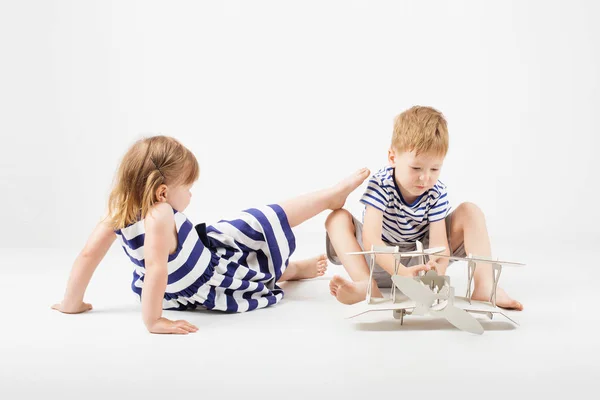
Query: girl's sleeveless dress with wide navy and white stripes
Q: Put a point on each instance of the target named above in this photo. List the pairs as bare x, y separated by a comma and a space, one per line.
231, 266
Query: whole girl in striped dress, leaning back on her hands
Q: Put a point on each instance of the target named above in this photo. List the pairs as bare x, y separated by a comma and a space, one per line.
232, 266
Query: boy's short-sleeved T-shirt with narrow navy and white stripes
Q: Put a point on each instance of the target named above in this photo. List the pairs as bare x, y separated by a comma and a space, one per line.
403, 222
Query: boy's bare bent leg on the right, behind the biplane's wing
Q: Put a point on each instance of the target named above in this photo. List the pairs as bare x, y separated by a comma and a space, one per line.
467, 225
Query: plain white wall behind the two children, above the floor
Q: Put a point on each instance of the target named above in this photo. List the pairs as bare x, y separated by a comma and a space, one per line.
278, 98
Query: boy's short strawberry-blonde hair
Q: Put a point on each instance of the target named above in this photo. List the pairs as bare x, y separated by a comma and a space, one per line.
422, 129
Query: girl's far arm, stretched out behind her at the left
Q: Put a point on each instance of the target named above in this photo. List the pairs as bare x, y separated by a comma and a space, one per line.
83, 268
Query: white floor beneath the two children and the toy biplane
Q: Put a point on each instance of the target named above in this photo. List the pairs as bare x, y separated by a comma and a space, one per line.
303, 346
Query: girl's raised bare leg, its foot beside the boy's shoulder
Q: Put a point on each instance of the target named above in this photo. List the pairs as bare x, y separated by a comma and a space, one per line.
306, 206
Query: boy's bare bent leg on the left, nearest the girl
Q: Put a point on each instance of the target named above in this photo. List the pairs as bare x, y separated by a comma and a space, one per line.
341, 231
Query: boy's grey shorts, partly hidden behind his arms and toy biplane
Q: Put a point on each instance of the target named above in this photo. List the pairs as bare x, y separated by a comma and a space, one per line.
381, 276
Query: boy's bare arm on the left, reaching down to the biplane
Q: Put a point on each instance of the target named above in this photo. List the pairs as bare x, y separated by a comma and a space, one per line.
372, 228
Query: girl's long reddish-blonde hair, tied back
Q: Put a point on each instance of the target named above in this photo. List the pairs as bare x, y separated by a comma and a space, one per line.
149, 163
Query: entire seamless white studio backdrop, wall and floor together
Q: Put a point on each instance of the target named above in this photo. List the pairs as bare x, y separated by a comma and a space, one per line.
275, 99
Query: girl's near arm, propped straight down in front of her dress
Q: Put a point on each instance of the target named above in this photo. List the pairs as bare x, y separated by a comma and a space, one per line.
159, 227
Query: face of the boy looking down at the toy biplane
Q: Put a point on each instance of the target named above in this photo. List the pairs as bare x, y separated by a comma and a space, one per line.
415, 174
